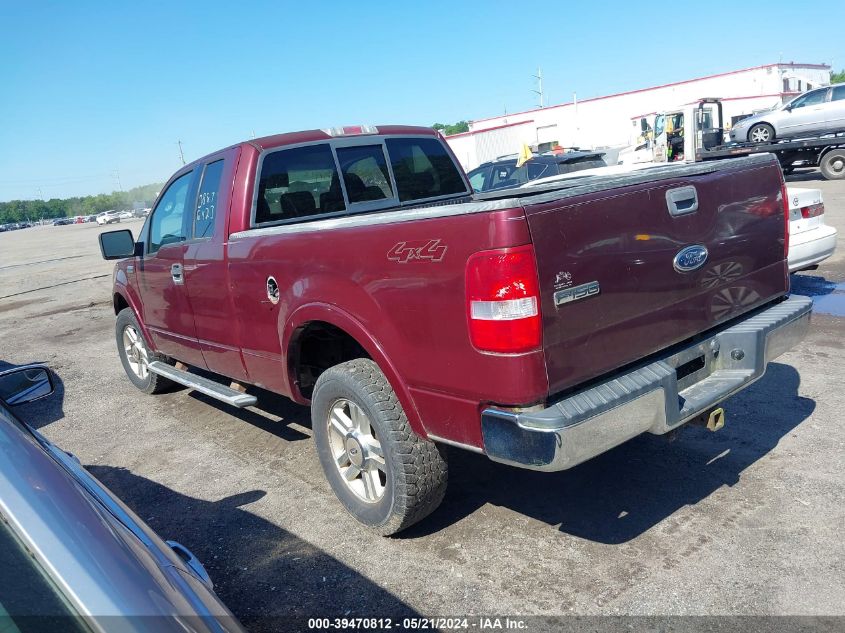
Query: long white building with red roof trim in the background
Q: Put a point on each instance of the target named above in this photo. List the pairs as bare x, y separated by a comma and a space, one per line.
612, 121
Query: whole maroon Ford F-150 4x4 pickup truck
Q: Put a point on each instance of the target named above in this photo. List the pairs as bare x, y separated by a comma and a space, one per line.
354, 270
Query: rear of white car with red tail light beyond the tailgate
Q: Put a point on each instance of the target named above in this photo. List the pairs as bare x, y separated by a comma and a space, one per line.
810, 240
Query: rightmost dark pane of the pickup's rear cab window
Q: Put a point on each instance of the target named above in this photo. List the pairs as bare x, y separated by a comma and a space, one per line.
423, 169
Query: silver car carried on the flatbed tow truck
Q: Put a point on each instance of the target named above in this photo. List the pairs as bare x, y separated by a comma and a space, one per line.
819, 111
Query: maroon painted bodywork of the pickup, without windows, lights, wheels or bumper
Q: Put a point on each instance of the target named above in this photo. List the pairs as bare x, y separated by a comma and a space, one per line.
410, 314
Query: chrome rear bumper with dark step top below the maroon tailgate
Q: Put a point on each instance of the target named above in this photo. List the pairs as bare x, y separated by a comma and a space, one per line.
653, 398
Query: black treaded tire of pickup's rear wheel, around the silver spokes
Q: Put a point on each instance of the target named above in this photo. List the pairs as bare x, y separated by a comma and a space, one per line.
415, 471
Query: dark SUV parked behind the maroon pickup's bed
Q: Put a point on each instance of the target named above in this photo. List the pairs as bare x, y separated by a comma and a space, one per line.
503, 172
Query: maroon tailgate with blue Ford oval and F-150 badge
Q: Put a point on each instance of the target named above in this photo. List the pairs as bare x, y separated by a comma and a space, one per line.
613, 286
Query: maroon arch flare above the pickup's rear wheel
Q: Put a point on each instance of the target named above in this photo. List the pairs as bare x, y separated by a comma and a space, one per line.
308, 316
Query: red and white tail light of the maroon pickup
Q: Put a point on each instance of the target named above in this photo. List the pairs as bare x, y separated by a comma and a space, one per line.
503, 300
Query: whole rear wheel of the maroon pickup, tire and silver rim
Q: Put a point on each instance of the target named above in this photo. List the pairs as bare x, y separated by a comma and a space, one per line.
385, 475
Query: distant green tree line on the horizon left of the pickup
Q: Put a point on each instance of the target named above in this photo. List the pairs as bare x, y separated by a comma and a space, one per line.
34, 210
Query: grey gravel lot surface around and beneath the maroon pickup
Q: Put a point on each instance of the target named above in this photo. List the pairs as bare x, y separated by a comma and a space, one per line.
747, 520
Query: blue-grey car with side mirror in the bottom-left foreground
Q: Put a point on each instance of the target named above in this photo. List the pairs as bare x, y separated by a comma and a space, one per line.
76, 550
